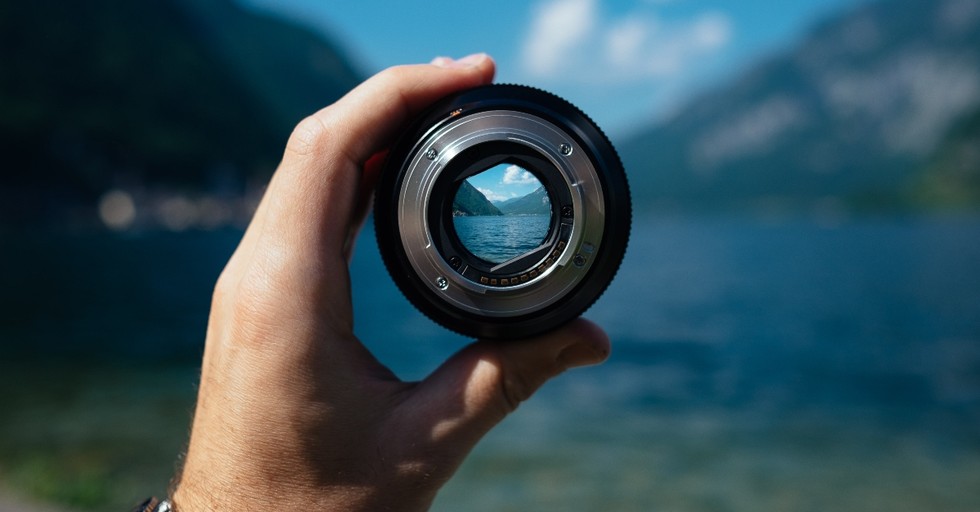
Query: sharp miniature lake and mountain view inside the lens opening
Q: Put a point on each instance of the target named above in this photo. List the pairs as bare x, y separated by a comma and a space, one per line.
501, 213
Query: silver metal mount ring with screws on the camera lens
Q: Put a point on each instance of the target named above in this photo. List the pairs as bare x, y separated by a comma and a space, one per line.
561, 269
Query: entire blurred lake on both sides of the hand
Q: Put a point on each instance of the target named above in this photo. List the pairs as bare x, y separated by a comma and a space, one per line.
756, 365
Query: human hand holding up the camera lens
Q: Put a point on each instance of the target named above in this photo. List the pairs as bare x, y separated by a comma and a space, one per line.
293, 412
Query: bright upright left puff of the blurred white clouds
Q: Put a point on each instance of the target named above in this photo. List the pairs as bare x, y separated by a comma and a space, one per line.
558, 28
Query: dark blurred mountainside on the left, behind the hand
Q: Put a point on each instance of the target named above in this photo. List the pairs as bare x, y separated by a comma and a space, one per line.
183, 95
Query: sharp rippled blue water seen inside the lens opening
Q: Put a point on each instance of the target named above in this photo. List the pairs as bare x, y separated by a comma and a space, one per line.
497, 238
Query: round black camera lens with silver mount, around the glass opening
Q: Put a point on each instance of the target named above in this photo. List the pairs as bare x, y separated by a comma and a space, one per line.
431, 277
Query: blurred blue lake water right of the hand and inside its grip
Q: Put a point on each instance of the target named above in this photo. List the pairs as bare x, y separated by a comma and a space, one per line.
755, 366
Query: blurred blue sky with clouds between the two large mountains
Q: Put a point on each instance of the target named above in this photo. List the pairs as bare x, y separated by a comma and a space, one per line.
626, 63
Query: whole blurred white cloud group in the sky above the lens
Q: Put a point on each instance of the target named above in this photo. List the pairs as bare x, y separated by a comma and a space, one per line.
571, 41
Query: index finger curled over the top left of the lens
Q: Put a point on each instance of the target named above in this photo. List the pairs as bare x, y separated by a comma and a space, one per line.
312, 196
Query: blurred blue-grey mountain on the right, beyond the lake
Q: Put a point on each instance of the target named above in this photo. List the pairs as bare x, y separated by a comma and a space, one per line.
857, 116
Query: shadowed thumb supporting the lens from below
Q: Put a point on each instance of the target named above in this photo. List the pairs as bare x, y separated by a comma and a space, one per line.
476, 389
